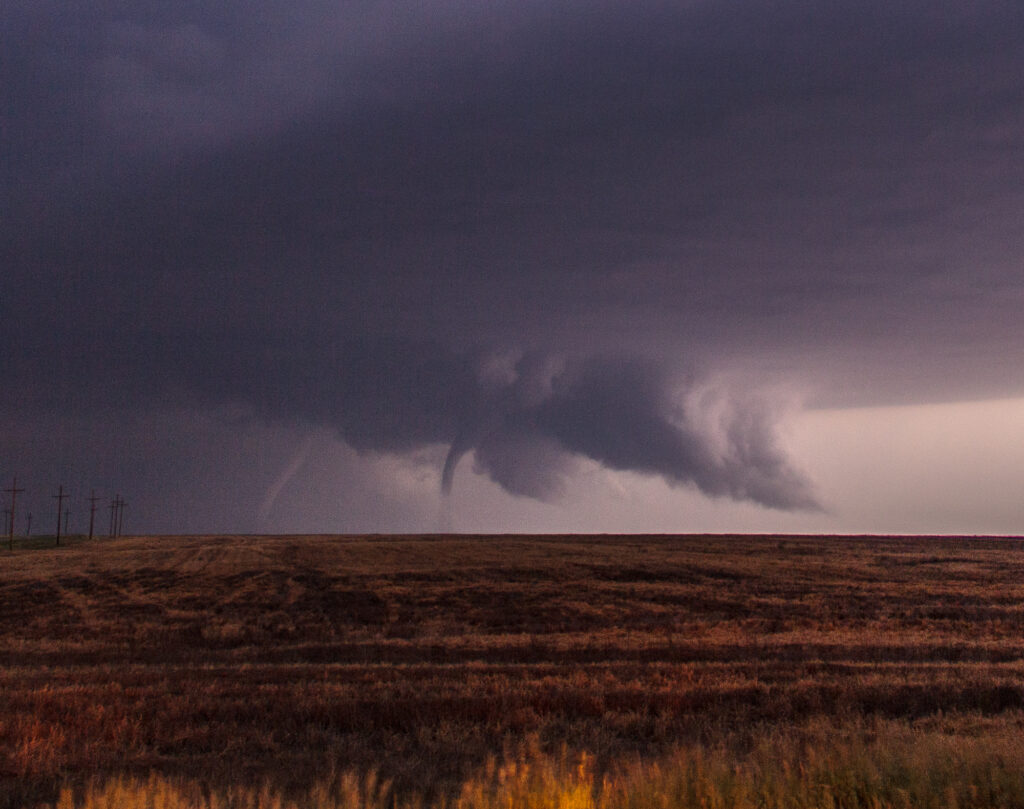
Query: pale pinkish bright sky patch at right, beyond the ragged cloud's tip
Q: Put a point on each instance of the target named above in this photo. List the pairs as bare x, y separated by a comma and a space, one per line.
942, 469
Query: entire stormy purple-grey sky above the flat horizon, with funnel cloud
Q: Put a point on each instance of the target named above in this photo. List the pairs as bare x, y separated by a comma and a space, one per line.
367, 266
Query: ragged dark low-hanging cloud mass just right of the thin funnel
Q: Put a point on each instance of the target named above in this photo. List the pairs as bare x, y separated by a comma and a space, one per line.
630, 416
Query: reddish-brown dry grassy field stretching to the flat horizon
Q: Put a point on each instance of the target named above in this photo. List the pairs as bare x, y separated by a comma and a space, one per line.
291, 664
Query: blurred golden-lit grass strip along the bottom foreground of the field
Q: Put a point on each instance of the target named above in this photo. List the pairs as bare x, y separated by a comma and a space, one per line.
824, 767
